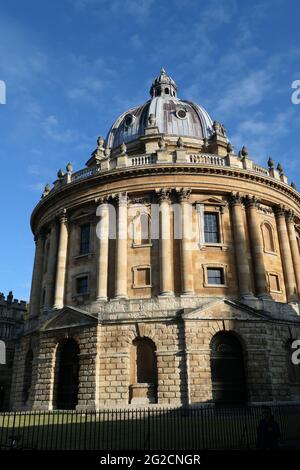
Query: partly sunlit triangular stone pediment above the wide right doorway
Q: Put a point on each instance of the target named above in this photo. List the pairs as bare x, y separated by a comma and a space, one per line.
224, 309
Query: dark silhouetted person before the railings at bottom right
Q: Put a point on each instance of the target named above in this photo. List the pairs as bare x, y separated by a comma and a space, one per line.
268, 432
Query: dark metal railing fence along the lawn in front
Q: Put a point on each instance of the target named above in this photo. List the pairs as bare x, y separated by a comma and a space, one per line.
157, 428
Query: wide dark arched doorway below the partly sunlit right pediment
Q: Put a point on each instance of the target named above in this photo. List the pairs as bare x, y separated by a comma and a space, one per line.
227, 369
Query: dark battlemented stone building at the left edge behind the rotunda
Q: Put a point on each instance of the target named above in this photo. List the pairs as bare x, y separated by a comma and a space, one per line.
12, 313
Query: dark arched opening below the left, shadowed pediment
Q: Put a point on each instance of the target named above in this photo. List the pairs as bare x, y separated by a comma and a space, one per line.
67, 375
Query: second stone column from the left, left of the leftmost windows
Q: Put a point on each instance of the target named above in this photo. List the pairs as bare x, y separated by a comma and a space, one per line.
61, 262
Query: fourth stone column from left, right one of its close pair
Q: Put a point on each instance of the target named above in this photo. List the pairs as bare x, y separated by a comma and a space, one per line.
121, 248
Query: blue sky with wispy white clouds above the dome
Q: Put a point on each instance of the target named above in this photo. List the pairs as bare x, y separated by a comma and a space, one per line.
72, 66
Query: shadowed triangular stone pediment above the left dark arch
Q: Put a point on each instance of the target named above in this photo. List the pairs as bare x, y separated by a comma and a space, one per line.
69, 317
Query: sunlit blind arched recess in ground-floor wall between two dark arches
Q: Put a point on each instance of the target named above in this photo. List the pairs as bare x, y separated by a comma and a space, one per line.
143, 371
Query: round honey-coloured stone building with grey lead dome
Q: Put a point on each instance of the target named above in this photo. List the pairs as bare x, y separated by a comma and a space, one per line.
167, 271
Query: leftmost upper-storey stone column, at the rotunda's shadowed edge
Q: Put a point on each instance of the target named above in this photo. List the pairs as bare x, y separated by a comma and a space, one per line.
37, 276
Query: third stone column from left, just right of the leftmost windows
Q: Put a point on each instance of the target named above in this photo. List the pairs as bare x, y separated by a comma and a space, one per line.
102, 234
